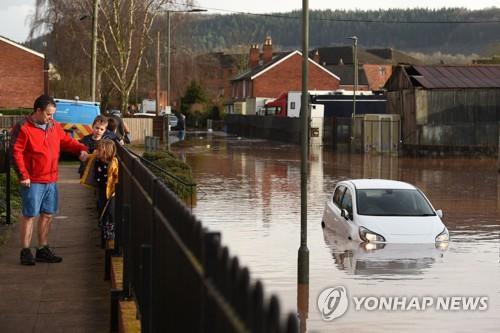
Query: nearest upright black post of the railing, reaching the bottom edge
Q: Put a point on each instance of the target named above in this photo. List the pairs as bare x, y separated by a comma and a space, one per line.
147, 289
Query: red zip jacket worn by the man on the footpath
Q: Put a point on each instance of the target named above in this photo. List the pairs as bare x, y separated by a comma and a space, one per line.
36, 152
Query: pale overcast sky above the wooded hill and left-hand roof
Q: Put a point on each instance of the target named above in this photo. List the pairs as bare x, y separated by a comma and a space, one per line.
14, 13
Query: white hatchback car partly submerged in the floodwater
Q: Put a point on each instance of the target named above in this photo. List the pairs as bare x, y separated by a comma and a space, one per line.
383, 211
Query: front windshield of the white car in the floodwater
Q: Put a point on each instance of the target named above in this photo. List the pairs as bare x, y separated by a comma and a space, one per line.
390, 202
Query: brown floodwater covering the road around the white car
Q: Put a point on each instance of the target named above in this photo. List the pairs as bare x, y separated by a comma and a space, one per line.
250, 191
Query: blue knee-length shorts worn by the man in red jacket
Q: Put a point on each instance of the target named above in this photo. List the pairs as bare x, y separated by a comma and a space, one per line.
39, 198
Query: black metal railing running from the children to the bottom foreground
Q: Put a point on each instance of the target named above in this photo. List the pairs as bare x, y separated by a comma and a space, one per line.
181, 276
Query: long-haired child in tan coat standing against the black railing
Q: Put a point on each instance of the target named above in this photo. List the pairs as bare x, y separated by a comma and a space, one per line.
101, 173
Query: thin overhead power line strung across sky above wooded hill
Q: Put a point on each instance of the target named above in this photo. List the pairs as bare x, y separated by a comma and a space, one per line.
290, 17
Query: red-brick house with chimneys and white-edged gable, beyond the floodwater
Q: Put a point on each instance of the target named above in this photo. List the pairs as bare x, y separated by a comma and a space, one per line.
272, 76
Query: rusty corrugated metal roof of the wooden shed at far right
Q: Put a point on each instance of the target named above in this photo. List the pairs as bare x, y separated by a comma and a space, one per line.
442, 77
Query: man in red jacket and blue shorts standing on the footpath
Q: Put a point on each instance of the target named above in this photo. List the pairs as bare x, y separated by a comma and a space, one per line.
36, 143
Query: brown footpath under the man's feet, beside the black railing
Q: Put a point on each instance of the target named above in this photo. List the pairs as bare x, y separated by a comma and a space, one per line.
67, 297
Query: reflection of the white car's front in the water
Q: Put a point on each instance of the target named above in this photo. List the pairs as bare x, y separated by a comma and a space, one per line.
382, 261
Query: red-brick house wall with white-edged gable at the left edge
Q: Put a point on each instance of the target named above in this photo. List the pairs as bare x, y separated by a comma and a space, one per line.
22, 73
